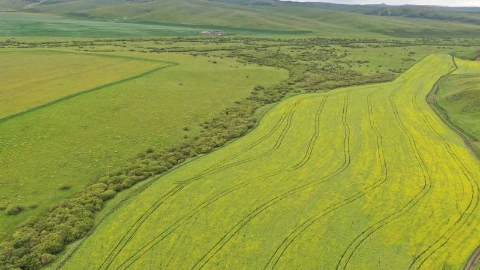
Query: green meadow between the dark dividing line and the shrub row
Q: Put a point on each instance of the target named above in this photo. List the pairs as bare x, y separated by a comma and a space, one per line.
112, 124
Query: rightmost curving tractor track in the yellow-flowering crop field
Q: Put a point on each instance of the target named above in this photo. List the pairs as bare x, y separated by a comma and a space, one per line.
471, 208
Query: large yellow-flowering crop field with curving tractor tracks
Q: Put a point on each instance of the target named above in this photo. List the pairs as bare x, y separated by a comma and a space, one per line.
359, 178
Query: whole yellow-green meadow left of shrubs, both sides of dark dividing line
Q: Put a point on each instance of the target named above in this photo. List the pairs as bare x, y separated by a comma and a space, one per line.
55, 150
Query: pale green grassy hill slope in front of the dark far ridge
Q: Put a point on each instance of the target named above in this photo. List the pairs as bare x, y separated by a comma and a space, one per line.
278, 17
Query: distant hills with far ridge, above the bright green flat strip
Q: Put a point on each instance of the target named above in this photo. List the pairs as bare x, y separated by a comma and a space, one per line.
318, 18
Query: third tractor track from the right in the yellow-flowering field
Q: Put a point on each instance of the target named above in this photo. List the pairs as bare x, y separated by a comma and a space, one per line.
281, 249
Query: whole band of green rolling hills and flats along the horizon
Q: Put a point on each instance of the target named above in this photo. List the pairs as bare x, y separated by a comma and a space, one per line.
103, 18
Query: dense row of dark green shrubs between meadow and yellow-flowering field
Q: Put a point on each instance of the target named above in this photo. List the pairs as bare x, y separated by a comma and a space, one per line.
37, 242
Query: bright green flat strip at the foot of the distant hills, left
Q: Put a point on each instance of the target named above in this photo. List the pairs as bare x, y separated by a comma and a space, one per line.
20, 24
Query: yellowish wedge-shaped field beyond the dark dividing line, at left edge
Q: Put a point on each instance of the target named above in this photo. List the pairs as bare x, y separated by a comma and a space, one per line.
35, 78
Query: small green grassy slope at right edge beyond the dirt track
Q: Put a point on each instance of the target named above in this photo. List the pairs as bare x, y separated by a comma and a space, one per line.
459, 94
